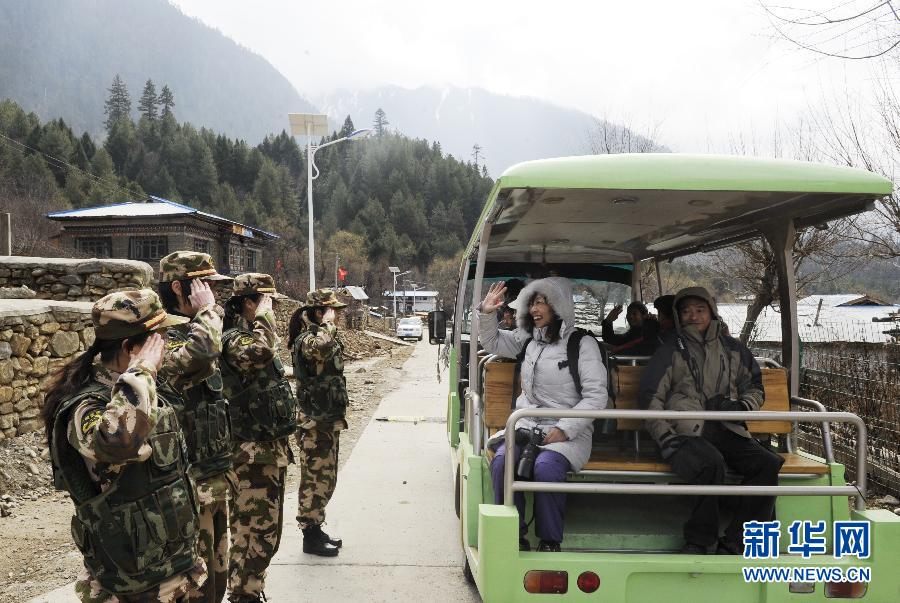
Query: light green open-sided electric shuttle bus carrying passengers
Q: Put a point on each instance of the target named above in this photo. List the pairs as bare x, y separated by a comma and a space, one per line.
598, 220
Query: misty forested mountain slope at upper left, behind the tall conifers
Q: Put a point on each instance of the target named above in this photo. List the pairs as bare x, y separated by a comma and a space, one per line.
58, 58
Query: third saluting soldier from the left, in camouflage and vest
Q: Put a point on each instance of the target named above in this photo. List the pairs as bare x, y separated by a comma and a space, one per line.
263, 416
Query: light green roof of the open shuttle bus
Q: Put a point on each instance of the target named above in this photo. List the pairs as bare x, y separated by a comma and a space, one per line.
624, 208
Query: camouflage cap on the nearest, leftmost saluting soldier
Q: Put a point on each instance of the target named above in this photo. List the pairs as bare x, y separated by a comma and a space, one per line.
128, 313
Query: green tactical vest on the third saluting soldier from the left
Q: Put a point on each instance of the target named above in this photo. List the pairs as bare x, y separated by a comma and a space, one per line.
263, 407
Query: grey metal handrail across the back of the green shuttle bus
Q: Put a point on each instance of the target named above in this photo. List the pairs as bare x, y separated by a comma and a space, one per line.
859, 491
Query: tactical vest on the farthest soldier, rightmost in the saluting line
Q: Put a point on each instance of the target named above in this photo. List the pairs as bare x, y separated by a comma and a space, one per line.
322, 397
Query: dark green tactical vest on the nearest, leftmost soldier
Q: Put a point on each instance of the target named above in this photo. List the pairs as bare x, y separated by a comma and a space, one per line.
143, 528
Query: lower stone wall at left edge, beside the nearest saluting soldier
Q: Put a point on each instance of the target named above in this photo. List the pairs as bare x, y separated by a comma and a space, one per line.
36, 337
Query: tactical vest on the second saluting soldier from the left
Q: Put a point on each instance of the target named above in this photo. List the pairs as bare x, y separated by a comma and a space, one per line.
203, 415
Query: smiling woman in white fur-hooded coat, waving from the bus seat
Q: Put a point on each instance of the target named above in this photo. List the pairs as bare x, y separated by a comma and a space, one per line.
546, 315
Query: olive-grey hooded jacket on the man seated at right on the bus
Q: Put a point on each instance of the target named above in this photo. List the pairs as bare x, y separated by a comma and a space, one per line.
709, 364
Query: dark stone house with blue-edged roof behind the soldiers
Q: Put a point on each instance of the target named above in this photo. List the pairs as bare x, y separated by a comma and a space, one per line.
148, 231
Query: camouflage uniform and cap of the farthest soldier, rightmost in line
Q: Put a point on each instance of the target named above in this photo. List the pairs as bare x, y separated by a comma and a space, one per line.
318, 369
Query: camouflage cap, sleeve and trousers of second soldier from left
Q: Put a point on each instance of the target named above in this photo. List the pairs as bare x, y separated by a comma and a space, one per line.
192, 354
